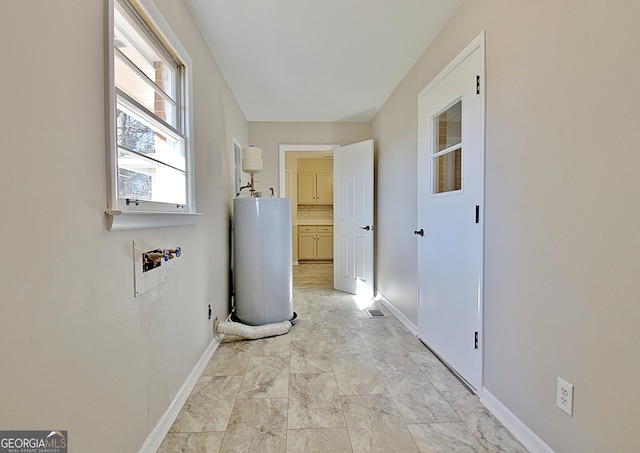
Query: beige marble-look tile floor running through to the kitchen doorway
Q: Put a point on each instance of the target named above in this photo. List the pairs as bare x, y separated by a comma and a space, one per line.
339, 381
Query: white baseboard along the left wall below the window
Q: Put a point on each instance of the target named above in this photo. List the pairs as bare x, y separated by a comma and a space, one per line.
159, 432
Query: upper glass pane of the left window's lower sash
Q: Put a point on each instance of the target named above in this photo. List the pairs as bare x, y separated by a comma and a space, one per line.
136, 134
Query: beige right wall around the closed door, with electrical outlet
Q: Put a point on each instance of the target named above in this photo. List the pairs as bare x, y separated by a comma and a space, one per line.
562, 275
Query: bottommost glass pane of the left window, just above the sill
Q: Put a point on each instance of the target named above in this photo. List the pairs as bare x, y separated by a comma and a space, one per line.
143, 179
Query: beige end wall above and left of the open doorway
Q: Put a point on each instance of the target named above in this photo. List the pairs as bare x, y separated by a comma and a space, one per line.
269, 136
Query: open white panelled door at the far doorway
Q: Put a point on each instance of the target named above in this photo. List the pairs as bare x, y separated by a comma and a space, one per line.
353, 218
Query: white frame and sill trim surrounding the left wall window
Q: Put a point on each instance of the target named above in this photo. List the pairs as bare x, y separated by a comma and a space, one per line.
148, 214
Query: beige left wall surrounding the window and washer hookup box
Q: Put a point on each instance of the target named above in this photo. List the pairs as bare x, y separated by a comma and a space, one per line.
77, 351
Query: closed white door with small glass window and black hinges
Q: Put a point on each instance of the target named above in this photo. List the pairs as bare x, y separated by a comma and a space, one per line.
450, 202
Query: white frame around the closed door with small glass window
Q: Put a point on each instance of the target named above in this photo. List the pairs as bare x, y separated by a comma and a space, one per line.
478, 44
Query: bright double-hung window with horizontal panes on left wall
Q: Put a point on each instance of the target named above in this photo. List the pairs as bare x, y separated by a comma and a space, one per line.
149, 133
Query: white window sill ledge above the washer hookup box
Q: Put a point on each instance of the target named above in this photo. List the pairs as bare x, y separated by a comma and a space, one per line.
133, 220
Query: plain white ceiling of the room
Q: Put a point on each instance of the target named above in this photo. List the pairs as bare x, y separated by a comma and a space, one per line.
317, 60
